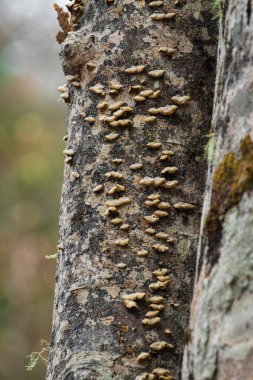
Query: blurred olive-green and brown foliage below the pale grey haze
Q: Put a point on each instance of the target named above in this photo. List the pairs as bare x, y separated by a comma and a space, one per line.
31, 129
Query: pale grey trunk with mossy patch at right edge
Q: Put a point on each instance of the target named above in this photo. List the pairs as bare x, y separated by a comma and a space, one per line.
221, 344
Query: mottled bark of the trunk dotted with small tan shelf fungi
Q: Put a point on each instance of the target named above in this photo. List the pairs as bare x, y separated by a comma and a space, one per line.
94, 335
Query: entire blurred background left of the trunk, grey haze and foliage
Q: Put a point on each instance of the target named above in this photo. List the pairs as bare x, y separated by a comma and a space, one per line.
32, 124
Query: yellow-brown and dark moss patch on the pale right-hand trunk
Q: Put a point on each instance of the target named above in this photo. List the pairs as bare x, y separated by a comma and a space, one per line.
232, 178
